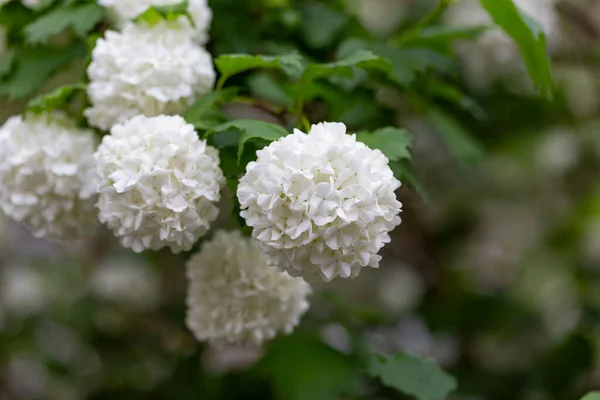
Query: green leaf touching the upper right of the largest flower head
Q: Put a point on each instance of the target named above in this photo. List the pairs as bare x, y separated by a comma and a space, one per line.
393, 142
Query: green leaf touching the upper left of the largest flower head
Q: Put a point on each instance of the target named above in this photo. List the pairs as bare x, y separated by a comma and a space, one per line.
251, 130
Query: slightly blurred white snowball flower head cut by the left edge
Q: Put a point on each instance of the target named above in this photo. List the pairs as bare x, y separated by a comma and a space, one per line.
47, 175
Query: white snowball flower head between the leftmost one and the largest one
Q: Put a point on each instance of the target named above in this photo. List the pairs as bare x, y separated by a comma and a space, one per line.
158, 183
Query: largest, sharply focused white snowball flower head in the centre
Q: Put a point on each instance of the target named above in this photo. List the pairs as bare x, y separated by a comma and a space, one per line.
320, 202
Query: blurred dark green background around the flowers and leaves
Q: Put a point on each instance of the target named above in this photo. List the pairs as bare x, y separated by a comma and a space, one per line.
494, 272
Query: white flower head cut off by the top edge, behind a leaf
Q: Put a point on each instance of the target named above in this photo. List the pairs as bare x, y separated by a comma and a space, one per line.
124, 11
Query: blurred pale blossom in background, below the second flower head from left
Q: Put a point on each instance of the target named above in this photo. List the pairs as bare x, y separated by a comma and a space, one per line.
126, 281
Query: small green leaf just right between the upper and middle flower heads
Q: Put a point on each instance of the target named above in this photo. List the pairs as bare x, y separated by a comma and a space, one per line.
205, 113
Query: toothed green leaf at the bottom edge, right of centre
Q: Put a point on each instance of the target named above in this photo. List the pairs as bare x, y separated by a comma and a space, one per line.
421, 379
